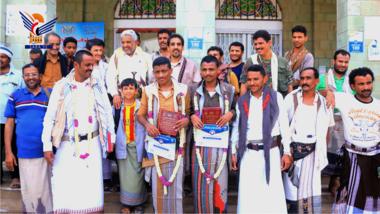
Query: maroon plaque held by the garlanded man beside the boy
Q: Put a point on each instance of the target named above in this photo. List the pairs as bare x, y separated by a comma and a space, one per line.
166, 122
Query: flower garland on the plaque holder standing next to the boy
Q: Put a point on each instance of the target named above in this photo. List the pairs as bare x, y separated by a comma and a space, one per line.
182, 142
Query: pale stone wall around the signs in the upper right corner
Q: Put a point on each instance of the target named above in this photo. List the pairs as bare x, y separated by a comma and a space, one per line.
351, 16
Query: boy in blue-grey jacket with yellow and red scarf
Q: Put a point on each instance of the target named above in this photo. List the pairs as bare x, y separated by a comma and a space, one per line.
129, 149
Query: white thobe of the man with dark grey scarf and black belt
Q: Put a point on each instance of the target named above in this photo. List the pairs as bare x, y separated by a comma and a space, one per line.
255, 195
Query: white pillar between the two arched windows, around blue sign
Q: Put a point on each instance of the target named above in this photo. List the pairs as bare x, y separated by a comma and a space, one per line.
196, 14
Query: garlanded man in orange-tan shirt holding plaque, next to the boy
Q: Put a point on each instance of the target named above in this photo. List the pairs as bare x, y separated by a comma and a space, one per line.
165, 175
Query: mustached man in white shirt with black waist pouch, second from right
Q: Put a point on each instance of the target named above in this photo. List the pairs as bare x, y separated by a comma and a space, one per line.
310, 119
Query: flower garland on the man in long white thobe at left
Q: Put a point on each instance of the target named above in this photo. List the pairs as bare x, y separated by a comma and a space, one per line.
76, 123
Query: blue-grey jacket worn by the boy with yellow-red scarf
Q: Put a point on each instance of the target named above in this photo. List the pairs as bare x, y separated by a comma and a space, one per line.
121, 138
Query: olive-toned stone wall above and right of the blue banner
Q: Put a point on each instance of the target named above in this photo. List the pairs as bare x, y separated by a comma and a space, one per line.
90, 11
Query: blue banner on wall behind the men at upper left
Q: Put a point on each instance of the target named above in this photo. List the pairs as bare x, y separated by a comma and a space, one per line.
82, 32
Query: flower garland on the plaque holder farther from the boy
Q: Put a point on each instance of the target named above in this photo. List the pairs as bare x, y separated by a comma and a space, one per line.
224, 157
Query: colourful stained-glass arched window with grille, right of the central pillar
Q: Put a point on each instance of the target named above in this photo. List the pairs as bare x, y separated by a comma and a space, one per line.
248, 10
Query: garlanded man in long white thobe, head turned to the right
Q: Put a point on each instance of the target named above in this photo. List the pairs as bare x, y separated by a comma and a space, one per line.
79, 124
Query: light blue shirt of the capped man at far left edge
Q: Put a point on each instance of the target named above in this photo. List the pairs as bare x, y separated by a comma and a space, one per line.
9, 83
